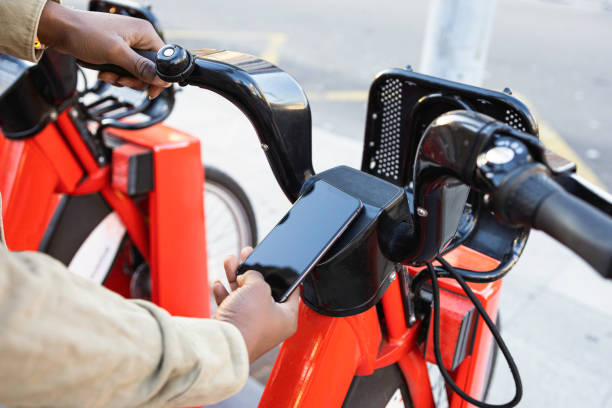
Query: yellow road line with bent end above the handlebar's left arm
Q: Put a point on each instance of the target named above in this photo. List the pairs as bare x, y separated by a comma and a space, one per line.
271, 52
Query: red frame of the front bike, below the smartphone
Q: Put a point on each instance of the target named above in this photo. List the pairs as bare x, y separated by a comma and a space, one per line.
315, 367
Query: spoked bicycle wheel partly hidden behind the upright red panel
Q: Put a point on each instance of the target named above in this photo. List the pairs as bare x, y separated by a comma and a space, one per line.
230, 220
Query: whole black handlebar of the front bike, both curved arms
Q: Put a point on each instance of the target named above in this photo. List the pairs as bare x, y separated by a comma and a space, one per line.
278, 109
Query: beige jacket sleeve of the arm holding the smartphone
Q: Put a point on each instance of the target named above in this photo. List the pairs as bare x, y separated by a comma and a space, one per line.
65, 341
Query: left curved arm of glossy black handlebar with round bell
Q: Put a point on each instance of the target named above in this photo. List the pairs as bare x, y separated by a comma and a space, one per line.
272, 100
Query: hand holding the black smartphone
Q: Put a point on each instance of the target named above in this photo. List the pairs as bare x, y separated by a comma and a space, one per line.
251, 308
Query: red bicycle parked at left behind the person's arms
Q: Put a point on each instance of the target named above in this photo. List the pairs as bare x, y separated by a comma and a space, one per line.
90, 177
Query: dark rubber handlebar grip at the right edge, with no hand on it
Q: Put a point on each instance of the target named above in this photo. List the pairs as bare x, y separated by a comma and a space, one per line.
579, 226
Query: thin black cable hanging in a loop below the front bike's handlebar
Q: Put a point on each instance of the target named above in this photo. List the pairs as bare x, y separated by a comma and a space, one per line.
496, 335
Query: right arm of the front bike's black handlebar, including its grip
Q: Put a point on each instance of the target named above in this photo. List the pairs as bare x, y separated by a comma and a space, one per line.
510, 167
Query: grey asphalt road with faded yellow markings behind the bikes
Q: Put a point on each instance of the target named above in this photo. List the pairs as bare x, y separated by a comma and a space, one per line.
555, 53
